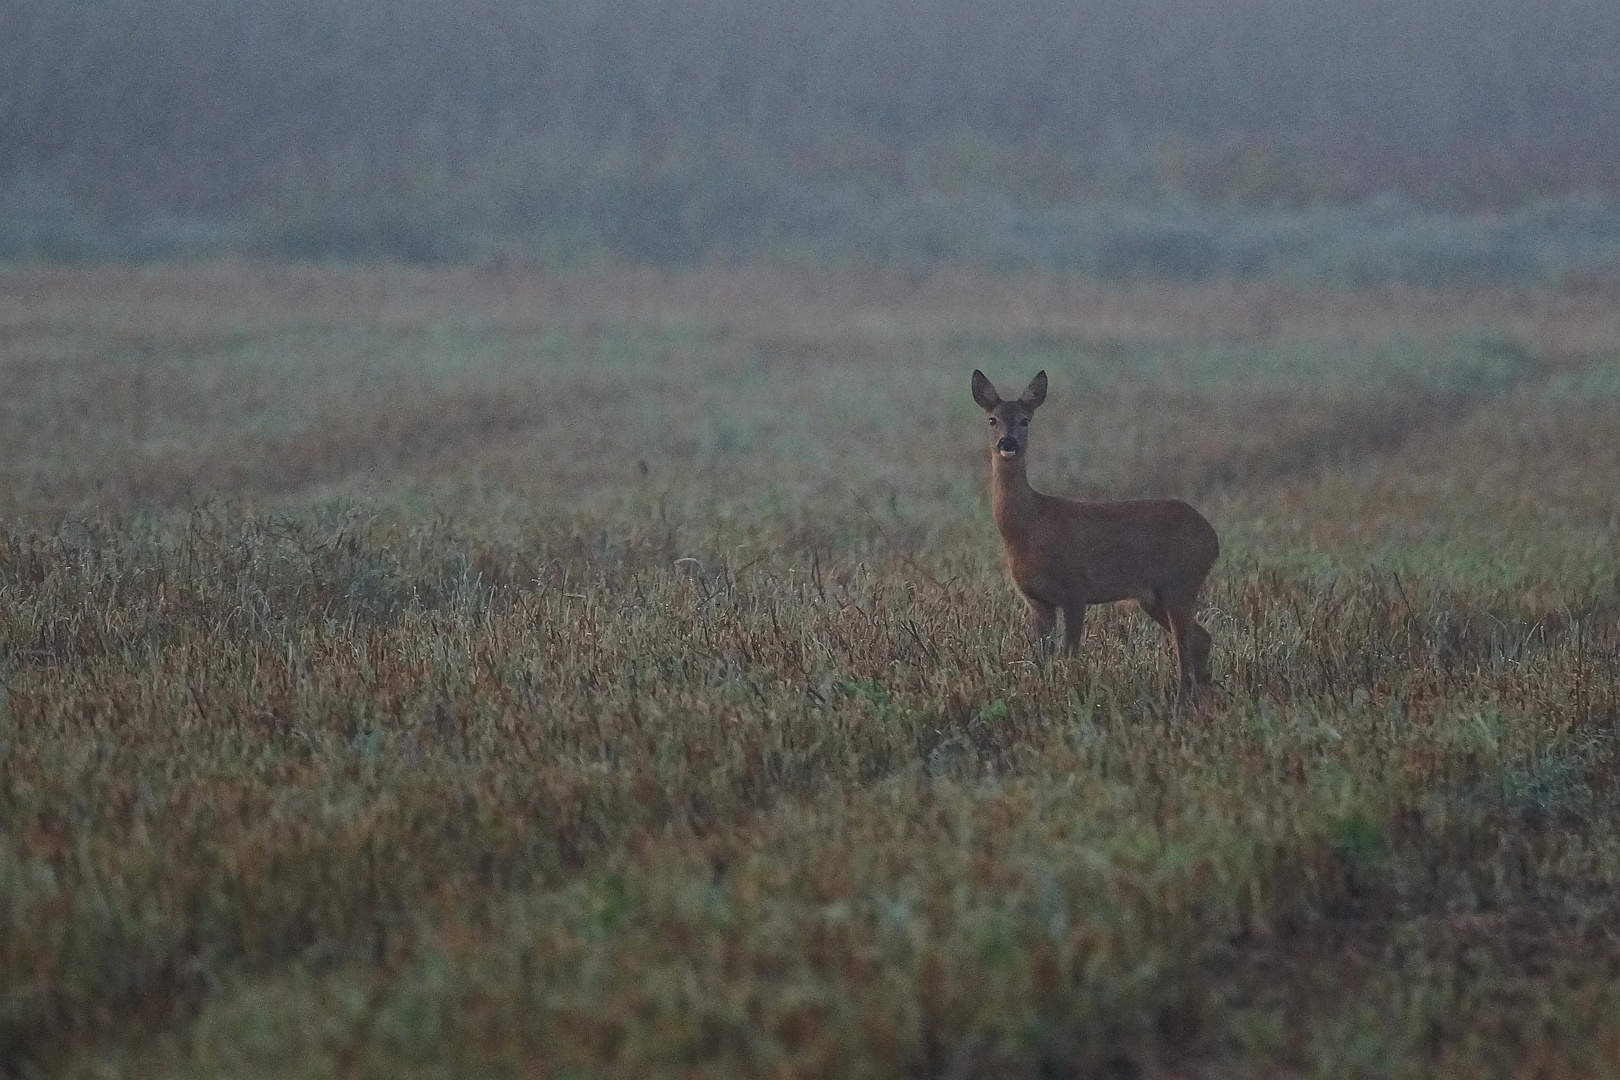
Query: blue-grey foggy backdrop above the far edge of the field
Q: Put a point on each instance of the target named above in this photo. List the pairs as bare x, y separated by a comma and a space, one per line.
671, 130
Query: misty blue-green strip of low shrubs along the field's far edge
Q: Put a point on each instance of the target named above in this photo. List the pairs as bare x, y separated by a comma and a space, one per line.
706, 213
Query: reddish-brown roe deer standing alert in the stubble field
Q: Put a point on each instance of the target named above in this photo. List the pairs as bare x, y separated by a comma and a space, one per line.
1068, 555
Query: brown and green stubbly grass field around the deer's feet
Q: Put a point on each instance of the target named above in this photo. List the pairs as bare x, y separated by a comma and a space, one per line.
463, 676
